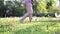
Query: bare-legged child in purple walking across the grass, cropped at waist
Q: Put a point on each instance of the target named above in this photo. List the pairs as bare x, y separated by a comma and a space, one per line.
29, 9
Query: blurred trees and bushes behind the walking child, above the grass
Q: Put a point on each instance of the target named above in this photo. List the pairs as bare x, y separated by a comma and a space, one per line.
15, 8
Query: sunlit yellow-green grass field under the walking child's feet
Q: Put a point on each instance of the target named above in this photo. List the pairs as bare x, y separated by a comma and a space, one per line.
37, 26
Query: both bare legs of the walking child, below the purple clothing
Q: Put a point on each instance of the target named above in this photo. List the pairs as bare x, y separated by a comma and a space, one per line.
29, 12
